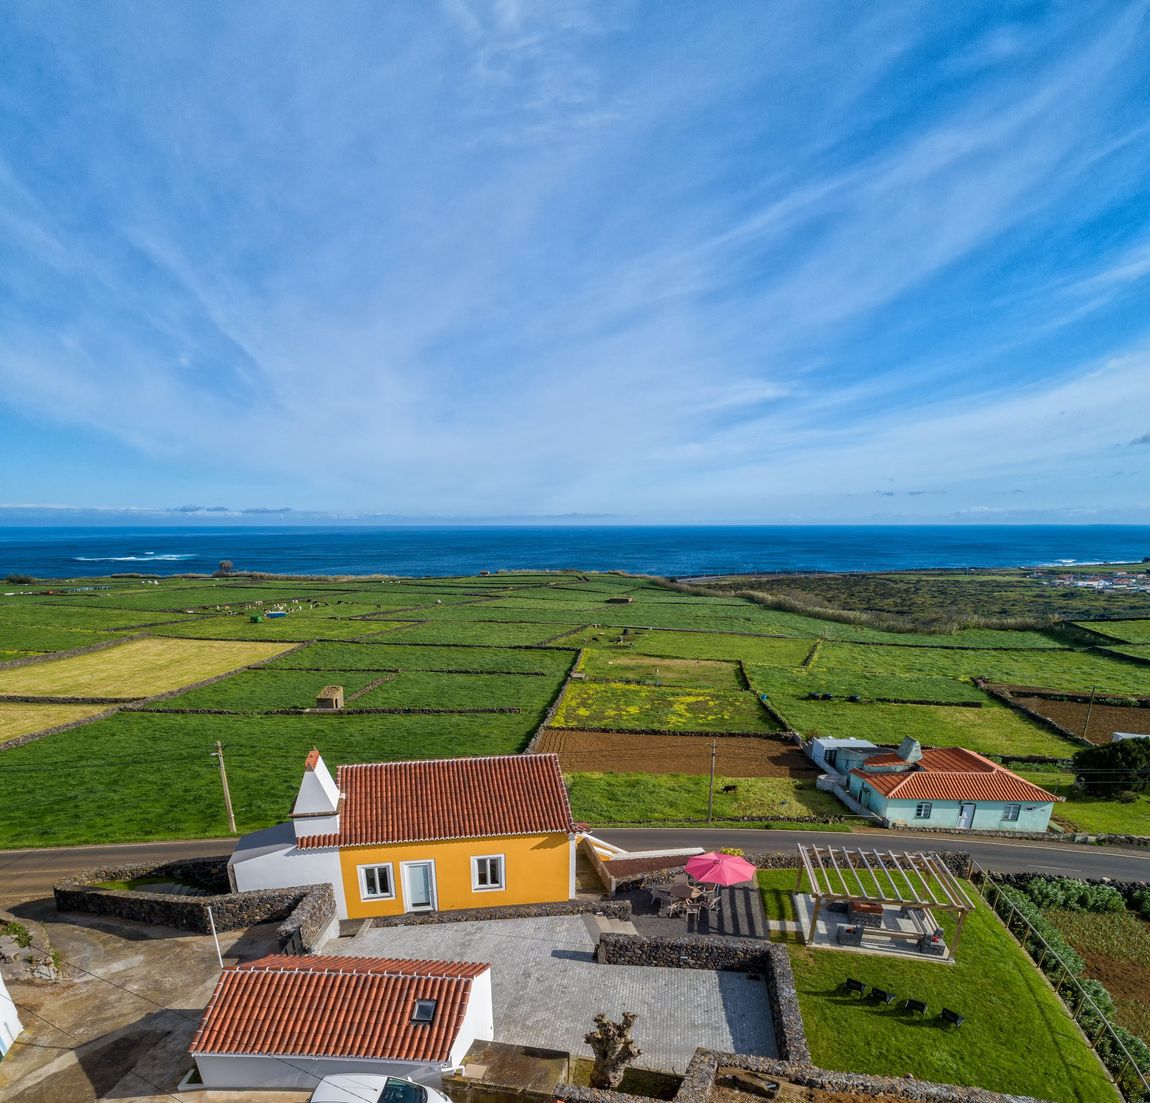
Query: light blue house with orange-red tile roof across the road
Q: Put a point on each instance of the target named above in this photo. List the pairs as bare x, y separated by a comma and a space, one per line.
949, 788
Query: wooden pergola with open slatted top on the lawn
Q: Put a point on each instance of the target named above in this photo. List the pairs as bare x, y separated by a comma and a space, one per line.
901, 880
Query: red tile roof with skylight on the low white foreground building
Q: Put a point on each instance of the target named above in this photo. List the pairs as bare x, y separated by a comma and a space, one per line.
336, 1007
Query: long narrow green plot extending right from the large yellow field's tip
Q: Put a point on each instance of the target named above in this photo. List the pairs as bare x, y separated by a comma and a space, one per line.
378, 656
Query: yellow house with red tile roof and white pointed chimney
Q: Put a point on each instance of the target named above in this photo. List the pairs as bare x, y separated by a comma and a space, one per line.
432, 836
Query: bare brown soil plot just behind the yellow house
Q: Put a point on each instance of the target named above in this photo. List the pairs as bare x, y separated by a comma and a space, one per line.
738, 756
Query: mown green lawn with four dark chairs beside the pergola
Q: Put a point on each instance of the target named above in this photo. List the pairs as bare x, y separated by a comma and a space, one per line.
1017, 1038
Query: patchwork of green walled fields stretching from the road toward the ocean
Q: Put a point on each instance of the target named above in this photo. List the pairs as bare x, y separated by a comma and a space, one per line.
664, 661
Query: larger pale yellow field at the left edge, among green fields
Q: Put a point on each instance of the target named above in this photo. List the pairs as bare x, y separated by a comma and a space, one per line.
137, 669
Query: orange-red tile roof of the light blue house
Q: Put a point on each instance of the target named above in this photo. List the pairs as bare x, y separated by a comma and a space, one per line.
953, 773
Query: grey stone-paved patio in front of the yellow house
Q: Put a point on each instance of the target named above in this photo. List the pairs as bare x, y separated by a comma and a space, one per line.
548, 989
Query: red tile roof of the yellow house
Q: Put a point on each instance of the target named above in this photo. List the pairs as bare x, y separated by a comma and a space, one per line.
449, 799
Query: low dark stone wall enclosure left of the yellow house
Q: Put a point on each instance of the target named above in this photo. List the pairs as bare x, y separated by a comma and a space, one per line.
308, 913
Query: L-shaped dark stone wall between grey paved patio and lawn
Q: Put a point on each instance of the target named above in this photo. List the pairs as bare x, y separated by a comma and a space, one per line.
730, 955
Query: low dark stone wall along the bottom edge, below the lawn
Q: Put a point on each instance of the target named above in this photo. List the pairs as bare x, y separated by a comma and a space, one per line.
709, 1069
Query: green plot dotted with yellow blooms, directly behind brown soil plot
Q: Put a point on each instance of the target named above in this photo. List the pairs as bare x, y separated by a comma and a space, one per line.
618, 706
